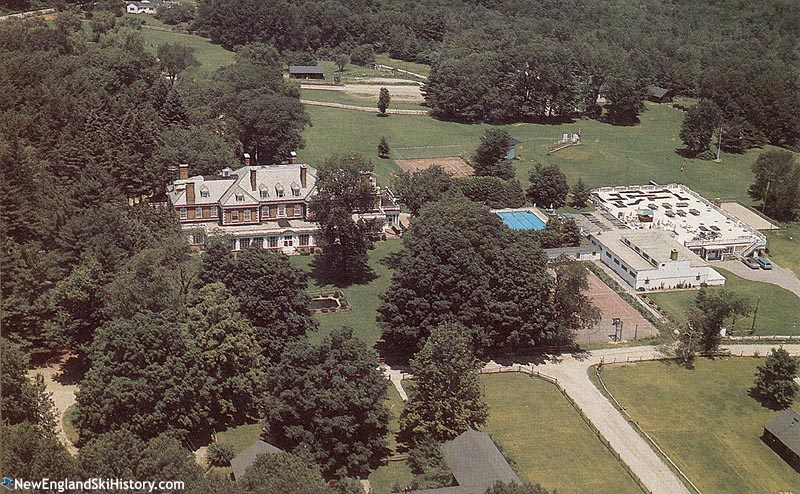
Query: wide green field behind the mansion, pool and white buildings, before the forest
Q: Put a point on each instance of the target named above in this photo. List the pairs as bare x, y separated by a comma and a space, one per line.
609, 155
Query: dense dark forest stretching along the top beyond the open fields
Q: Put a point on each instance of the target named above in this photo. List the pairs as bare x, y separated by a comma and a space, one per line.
509, 60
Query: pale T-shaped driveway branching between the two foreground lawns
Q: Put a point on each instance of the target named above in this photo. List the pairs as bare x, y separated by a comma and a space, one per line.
572, 373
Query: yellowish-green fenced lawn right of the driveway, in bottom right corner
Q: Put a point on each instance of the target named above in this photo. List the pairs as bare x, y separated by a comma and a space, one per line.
706, 422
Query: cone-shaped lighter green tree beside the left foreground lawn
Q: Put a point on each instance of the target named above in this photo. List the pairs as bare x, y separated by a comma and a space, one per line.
447, 397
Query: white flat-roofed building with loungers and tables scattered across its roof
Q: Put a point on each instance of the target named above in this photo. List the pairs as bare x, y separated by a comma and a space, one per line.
702, 227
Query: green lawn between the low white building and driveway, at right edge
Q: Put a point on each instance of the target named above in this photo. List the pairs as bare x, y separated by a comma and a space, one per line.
778, 309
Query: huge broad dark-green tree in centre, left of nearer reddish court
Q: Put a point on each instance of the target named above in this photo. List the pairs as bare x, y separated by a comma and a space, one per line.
461, 262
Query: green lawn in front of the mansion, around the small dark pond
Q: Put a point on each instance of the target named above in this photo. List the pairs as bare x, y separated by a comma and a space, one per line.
364, 299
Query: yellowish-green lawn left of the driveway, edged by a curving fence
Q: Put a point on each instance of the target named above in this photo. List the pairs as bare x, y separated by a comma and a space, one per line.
547, 440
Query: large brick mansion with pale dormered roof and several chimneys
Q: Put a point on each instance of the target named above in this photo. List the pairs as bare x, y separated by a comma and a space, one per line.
261, 206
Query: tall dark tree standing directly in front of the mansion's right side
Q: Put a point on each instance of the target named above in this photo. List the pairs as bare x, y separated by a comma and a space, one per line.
343, 188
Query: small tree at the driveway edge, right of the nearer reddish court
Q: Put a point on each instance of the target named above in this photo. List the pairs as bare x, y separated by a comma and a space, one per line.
712, 309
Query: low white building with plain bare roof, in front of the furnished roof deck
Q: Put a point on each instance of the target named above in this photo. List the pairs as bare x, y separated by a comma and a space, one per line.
653, 259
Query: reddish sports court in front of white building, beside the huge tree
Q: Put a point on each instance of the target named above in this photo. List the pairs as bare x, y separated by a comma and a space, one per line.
612, 305
